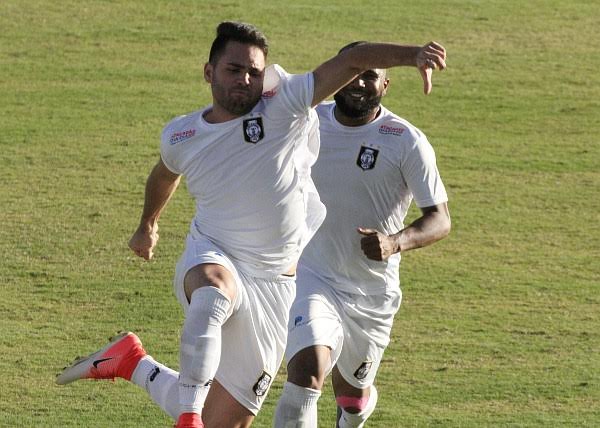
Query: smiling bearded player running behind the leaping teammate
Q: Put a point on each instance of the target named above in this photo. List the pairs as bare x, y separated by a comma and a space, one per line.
371, 165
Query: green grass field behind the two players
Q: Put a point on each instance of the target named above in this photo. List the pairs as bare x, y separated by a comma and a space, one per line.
499, 326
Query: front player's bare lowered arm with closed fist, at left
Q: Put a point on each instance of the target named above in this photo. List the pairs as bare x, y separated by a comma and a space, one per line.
160, 186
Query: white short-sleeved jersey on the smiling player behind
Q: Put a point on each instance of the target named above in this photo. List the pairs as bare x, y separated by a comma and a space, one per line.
367, 177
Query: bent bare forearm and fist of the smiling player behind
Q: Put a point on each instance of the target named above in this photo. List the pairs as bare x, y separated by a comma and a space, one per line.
433, 225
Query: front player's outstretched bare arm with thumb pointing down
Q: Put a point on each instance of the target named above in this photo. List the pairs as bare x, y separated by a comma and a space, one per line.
340, 70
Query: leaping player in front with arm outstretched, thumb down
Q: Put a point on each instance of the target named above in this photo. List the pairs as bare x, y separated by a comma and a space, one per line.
246, 159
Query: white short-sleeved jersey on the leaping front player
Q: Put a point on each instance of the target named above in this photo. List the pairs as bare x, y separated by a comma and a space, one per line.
250, 176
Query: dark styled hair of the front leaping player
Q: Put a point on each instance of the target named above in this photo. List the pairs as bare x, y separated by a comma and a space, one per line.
236, 32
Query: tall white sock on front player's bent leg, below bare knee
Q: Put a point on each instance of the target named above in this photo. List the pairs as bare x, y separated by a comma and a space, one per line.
200, 350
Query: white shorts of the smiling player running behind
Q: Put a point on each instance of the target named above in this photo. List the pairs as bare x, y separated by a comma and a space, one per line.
356, 327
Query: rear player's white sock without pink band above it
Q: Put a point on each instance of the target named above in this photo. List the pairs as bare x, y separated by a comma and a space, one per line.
297, 407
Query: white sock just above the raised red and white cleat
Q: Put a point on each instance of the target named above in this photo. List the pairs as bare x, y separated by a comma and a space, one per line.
160, 382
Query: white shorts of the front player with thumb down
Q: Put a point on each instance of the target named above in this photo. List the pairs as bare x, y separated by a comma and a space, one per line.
254, 335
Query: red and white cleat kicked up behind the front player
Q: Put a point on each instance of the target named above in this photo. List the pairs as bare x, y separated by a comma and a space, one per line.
117, 359
